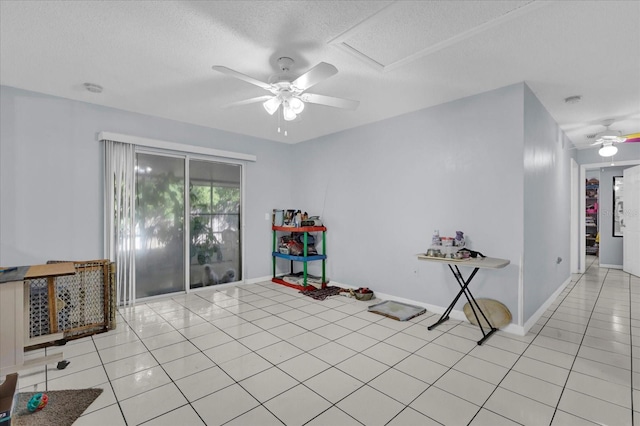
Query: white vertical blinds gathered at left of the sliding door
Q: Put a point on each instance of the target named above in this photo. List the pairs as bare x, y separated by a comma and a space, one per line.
119, 216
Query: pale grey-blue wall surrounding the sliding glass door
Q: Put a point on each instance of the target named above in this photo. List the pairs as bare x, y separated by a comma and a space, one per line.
51, 177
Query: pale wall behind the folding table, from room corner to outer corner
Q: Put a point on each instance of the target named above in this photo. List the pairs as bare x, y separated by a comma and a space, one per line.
383, 188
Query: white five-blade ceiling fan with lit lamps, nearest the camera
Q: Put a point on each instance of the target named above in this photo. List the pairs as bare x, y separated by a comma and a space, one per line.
288, 92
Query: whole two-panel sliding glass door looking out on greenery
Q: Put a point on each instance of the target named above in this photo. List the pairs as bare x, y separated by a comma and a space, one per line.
169, 254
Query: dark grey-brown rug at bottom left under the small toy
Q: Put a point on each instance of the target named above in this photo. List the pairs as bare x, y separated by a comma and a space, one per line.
64, 407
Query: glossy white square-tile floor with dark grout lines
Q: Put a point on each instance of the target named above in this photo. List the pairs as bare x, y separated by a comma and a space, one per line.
263, 354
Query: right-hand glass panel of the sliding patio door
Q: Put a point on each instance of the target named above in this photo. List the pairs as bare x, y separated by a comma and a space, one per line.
214, 246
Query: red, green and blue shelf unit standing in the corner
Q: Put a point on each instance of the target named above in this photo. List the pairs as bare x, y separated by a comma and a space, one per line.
297, 244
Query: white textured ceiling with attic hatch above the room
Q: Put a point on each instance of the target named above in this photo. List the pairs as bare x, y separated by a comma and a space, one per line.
155, 57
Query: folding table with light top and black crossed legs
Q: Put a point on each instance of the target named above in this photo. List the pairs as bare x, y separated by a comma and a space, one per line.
477, 264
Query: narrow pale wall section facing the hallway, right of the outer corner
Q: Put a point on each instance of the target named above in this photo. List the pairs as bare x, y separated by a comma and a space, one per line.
547, 198
